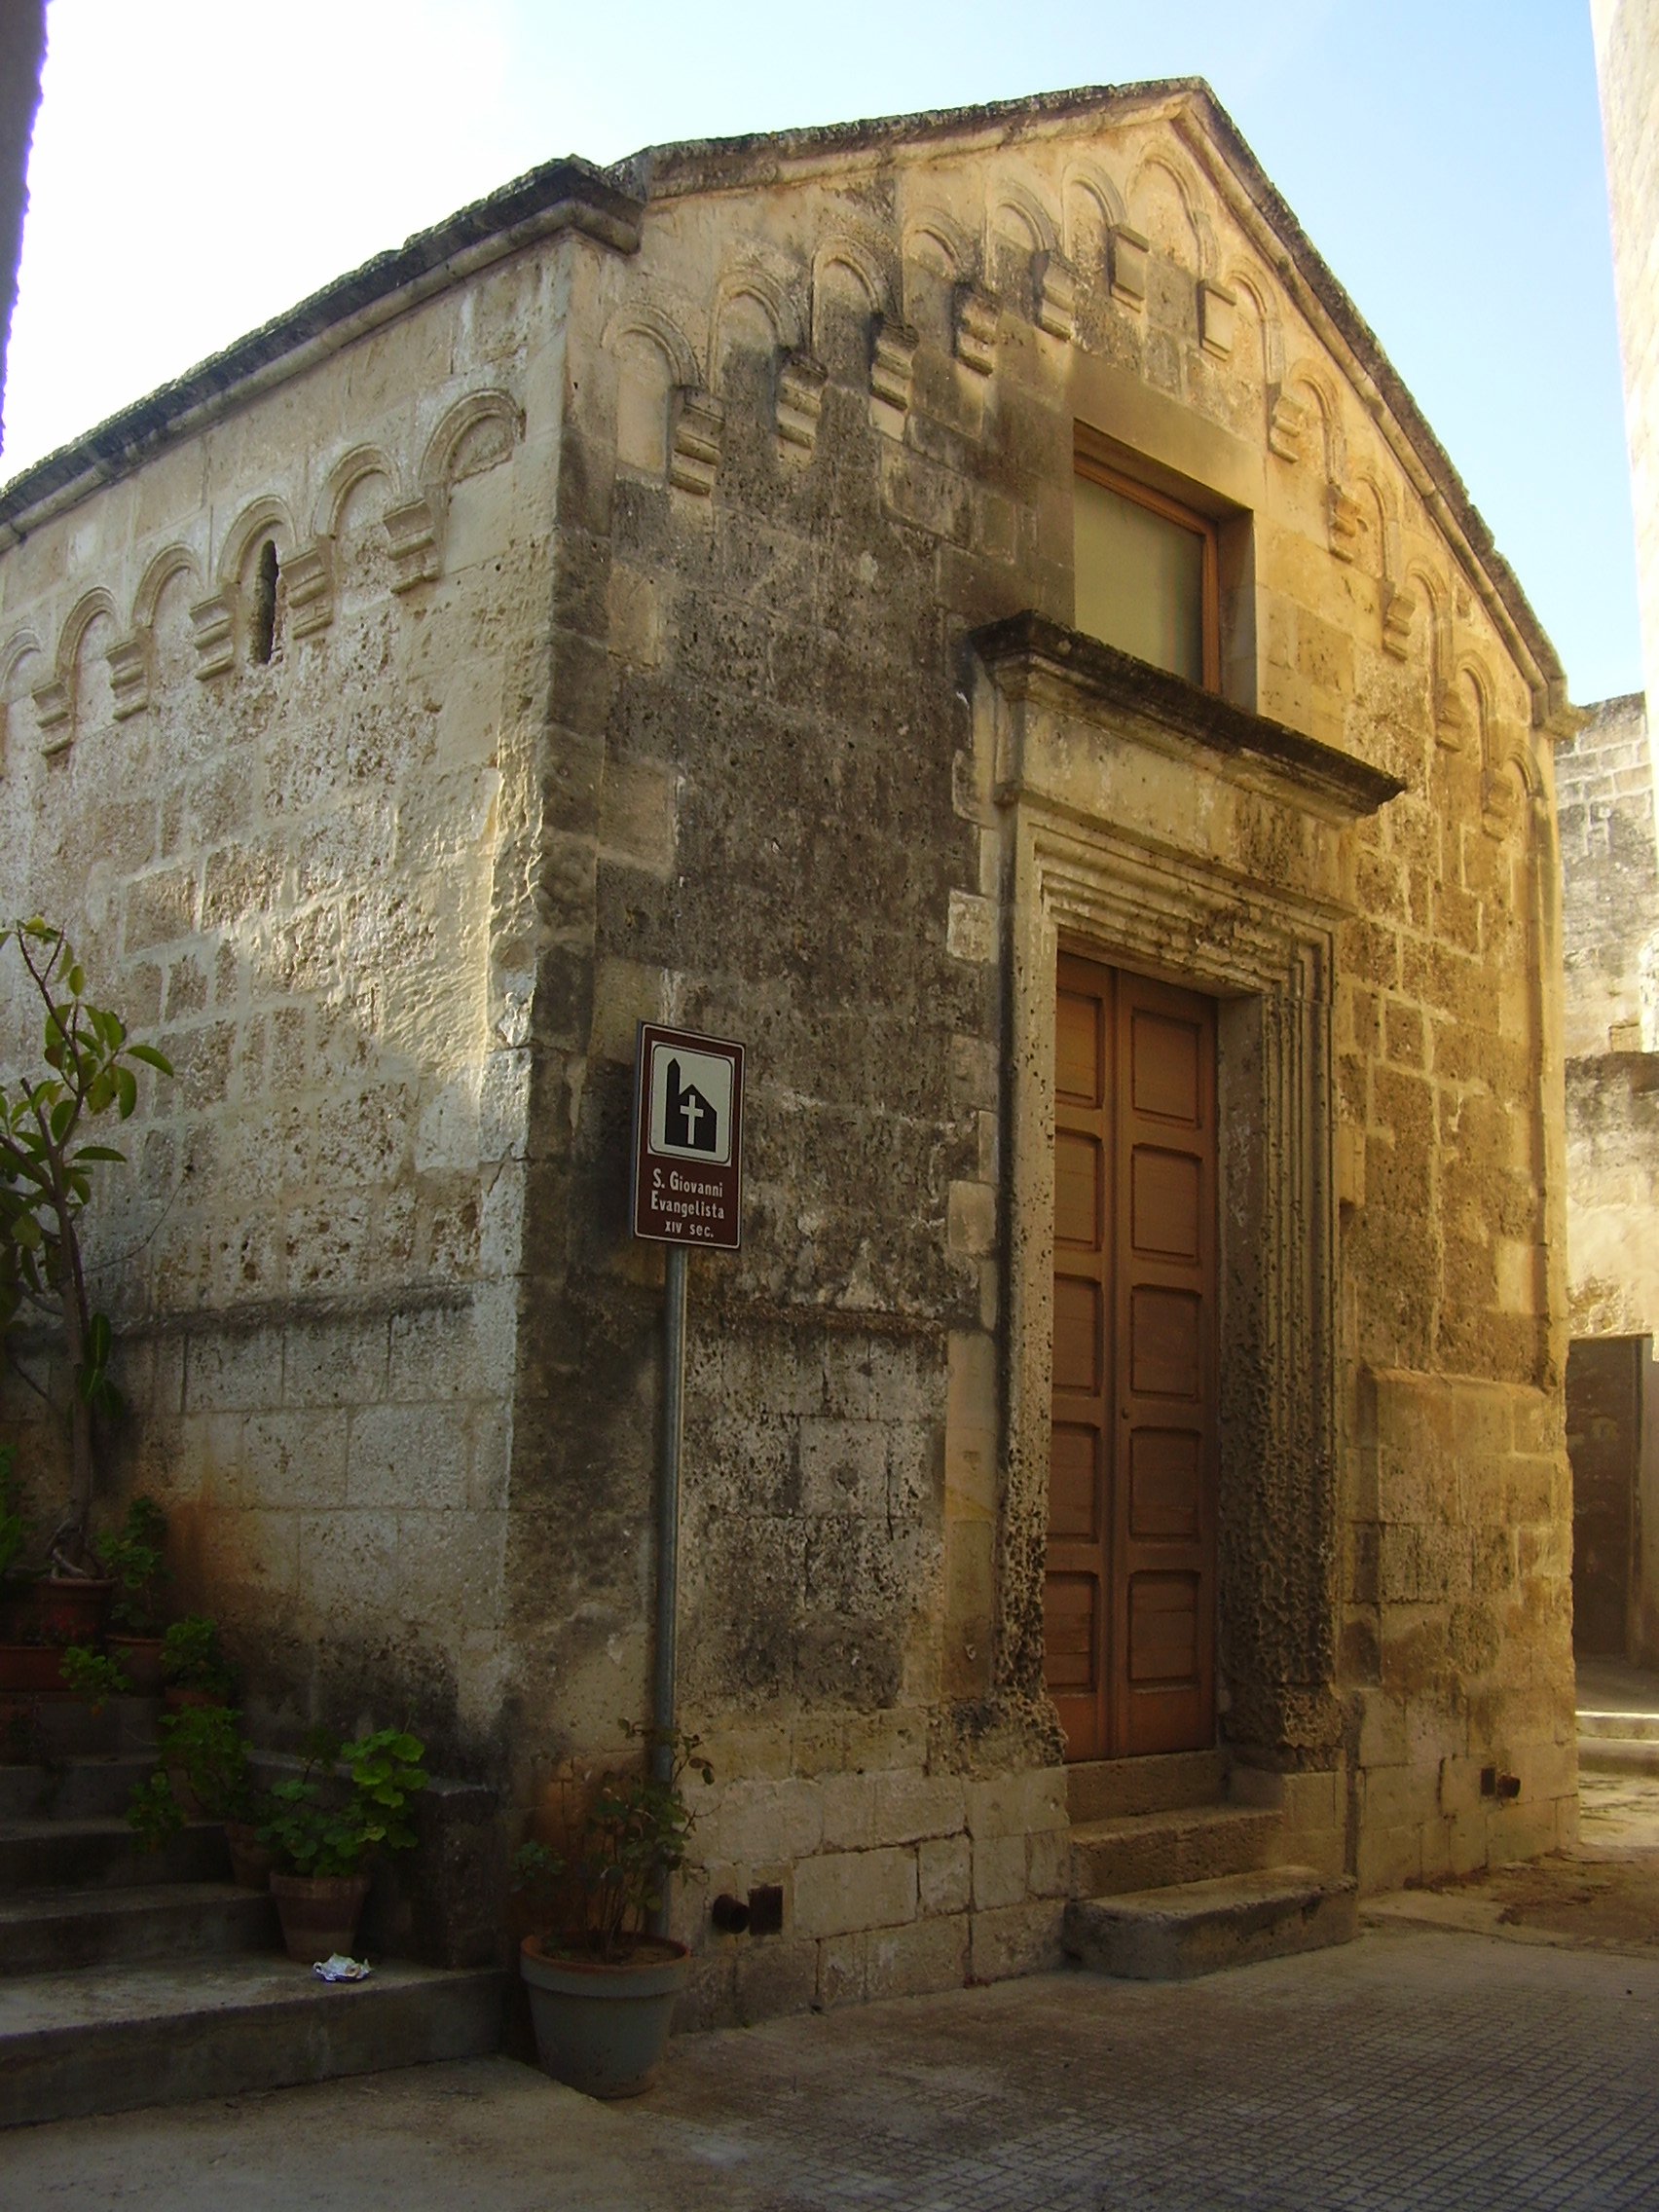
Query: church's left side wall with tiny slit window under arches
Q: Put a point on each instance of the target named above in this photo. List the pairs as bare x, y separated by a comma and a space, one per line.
298, 877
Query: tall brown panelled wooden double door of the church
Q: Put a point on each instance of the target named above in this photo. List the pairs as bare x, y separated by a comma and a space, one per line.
1129, 1600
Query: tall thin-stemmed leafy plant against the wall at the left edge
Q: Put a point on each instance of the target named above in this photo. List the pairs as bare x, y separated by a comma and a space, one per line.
48, 1185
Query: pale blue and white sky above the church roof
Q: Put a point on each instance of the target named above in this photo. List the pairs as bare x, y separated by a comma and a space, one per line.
202, 165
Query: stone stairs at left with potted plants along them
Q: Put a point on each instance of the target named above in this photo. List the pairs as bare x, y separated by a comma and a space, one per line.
136, 1979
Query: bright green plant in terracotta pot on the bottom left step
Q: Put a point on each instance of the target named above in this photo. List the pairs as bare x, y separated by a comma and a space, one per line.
322, 1835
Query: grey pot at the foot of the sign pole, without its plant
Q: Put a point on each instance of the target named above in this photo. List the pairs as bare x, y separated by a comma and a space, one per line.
605, 2027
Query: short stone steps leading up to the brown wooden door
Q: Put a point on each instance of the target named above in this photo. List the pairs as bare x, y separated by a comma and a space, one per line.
1173, 1877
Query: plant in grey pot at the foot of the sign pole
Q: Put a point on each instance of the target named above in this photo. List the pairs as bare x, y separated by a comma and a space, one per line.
603, 1990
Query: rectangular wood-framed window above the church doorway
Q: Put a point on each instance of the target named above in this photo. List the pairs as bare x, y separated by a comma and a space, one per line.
1147, 574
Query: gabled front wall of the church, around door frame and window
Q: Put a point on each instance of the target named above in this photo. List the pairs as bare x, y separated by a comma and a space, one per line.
824, 432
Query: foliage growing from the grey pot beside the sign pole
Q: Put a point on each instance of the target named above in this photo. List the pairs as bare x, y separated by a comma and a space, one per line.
623, 1835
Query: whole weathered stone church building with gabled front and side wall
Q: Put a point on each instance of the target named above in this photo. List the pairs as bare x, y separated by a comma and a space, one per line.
656, 596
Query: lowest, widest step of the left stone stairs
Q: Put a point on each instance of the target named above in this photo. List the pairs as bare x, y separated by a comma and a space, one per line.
105, 2041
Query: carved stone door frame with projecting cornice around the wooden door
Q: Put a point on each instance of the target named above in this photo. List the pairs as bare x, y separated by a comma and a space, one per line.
1129, 815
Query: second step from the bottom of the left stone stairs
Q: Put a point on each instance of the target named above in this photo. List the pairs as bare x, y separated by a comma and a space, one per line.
54, 1930
